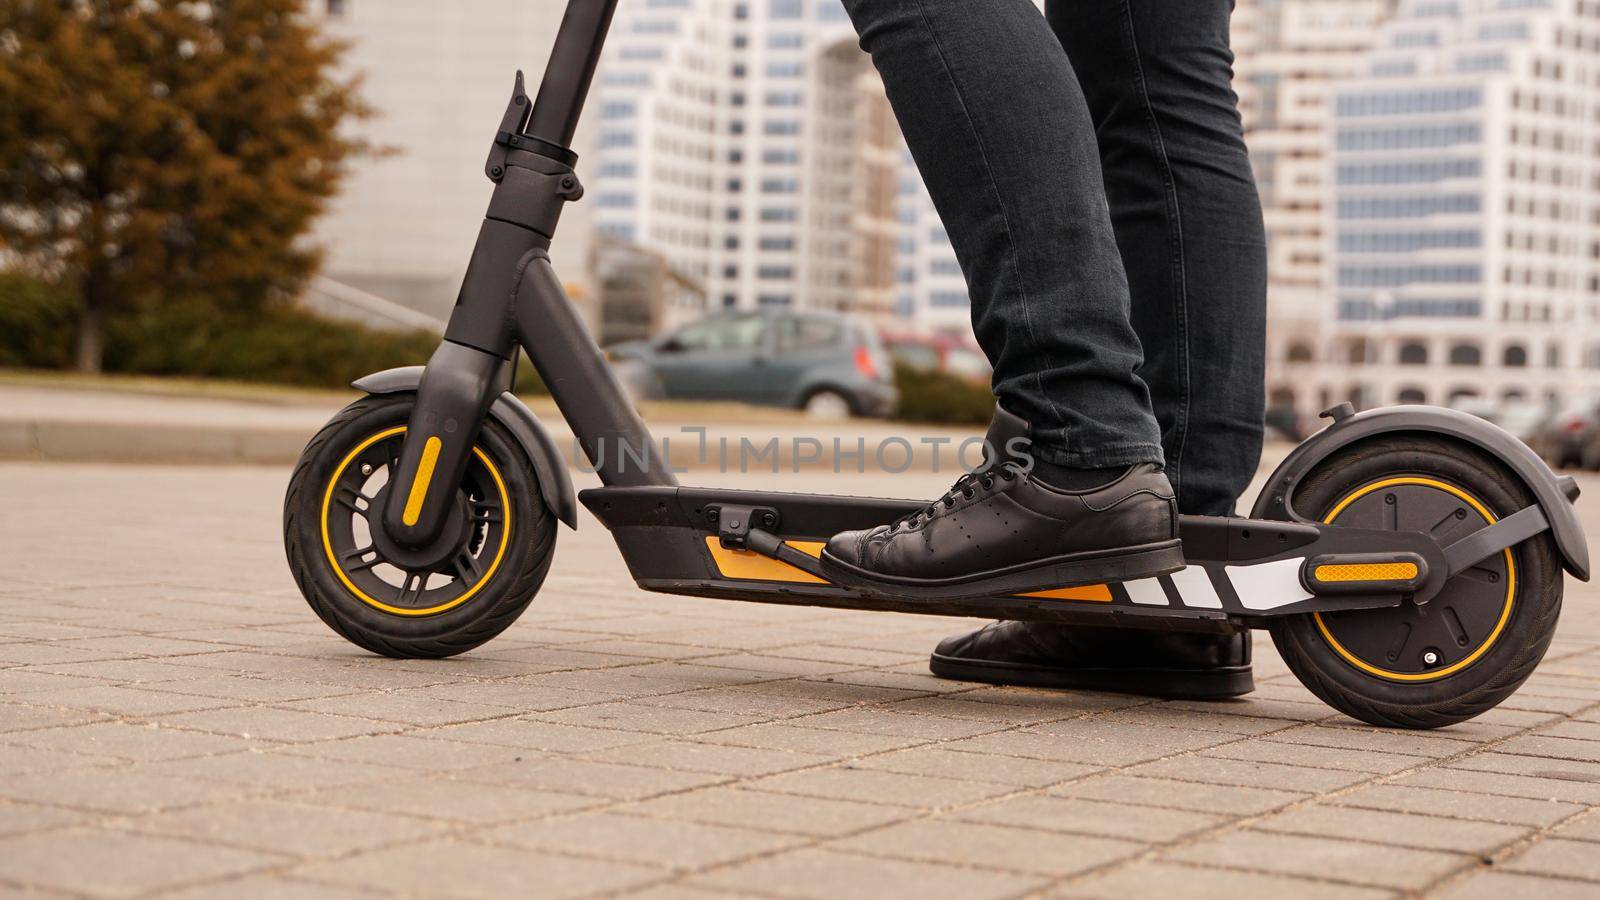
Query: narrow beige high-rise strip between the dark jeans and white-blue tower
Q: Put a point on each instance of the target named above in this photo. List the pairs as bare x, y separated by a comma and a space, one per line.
1290, 57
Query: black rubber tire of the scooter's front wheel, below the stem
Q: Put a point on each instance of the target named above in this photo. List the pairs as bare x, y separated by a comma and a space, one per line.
526, 544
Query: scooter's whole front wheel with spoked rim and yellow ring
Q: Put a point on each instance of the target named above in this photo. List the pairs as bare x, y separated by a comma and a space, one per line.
401, 601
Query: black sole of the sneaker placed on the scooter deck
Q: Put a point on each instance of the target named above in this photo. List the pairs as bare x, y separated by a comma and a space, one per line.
1071, 571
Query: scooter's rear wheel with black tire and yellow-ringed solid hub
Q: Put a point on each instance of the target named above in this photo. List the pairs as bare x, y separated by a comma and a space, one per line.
1489, 664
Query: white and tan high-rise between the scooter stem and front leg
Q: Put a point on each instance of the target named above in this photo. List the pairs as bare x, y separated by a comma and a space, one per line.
751, 145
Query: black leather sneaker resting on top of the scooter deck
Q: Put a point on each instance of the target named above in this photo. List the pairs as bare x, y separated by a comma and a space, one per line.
1002, 532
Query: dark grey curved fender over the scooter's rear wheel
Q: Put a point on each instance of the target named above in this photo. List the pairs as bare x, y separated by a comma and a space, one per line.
1551, 494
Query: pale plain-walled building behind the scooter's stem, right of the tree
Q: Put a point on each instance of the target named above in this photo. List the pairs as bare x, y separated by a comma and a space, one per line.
439, 78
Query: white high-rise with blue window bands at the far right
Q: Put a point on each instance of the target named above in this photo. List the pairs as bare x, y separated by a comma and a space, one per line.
1465, 220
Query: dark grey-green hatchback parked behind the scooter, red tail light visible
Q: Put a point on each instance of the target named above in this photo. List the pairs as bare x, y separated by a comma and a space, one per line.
826, 364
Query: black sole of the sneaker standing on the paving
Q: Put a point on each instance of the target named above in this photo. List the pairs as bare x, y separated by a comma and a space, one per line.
1170, 685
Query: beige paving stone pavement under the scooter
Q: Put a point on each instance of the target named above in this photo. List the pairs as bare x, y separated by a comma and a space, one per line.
175, 721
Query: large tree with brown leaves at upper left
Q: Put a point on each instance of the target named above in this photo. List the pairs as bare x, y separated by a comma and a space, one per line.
167, 148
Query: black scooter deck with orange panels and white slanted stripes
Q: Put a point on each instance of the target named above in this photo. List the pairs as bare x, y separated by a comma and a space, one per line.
1241, 571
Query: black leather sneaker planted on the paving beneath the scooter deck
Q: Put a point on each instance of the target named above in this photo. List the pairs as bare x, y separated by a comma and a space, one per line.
1175, 665
